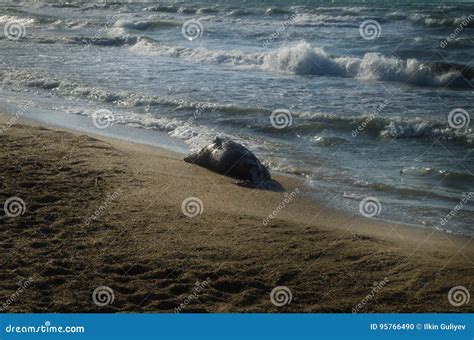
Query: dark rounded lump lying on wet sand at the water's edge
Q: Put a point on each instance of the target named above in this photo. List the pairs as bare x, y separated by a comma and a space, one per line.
233, 159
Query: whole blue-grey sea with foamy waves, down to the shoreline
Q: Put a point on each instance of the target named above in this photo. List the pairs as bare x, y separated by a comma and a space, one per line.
369, 117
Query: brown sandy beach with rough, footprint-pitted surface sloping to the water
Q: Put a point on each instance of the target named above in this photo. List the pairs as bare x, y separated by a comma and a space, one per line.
106, 212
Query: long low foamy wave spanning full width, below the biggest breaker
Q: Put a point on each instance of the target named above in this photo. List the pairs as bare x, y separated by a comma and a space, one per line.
304, 123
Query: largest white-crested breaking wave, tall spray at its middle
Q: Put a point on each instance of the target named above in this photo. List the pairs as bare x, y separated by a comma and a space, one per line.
303, 59
